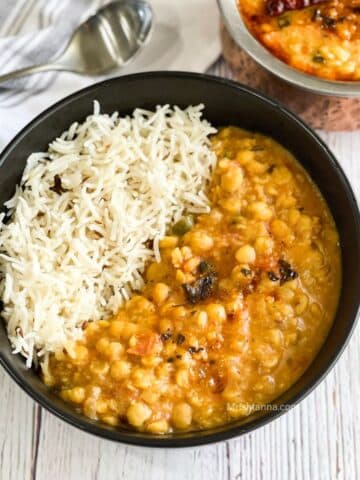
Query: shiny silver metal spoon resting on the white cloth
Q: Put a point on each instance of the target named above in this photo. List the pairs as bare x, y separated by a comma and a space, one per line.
104, 42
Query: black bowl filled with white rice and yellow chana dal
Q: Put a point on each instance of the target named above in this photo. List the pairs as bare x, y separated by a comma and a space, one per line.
244, 297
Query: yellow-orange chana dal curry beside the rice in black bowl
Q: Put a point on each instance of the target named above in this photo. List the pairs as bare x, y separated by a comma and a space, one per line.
231, 316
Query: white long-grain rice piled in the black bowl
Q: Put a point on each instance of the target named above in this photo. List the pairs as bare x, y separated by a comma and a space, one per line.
73, 256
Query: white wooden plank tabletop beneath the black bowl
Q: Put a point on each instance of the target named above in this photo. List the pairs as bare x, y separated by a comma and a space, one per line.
318, 439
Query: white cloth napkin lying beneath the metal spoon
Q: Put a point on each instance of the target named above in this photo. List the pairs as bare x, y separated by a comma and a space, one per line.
185, 37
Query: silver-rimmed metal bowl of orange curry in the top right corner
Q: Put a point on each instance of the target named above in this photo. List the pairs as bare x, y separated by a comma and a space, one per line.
311, 44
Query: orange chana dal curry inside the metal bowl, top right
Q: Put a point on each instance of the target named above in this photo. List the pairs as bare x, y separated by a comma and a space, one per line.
318, 37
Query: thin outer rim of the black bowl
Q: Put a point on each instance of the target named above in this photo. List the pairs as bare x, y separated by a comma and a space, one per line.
204, 437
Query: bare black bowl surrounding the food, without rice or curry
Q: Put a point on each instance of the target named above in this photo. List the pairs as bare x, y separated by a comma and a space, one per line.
225, 103
